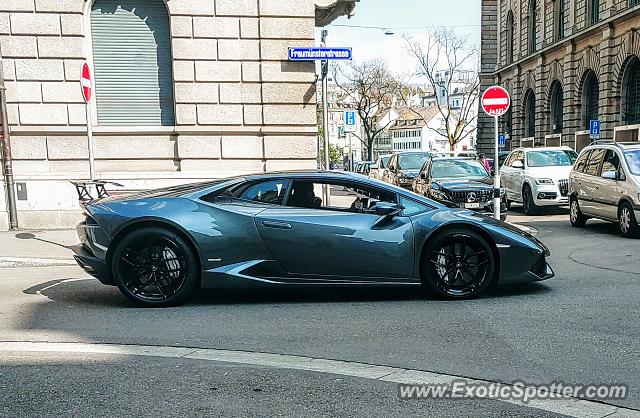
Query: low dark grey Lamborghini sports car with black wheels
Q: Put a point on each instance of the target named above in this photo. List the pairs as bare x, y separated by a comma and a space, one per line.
298, 228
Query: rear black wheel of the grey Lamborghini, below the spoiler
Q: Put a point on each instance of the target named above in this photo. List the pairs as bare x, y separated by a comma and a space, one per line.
155, 267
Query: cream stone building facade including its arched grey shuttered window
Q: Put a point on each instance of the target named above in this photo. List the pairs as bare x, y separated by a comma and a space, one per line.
217, 97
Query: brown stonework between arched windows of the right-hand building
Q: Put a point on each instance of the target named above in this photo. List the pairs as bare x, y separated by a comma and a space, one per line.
603, 47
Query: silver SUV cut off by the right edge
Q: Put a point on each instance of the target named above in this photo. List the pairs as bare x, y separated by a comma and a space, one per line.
605, 184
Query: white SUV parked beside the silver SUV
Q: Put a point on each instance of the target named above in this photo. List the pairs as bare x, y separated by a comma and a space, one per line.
538, 176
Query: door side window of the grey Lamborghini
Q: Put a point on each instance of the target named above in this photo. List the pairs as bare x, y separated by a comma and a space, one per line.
346, 197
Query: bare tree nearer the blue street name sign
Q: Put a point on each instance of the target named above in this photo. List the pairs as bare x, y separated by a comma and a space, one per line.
372, 91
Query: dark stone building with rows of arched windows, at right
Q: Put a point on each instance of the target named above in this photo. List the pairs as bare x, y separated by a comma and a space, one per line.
564, 63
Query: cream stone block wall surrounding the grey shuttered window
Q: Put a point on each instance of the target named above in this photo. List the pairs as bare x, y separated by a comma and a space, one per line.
240, 105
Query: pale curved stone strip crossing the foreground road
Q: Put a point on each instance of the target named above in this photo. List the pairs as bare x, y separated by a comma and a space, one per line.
569, 406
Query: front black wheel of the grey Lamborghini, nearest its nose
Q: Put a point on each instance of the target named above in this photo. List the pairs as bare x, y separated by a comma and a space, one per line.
462, 253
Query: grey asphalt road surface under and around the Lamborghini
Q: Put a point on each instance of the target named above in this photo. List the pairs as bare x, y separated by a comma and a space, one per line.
580, 327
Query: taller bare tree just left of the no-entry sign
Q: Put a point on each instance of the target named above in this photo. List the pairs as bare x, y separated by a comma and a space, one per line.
444, 50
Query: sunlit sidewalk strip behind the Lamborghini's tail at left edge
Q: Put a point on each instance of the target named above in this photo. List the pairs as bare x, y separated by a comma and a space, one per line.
38, 244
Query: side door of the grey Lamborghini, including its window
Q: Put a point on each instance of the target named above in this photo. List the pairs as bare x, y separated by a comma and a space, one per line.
340, 241
